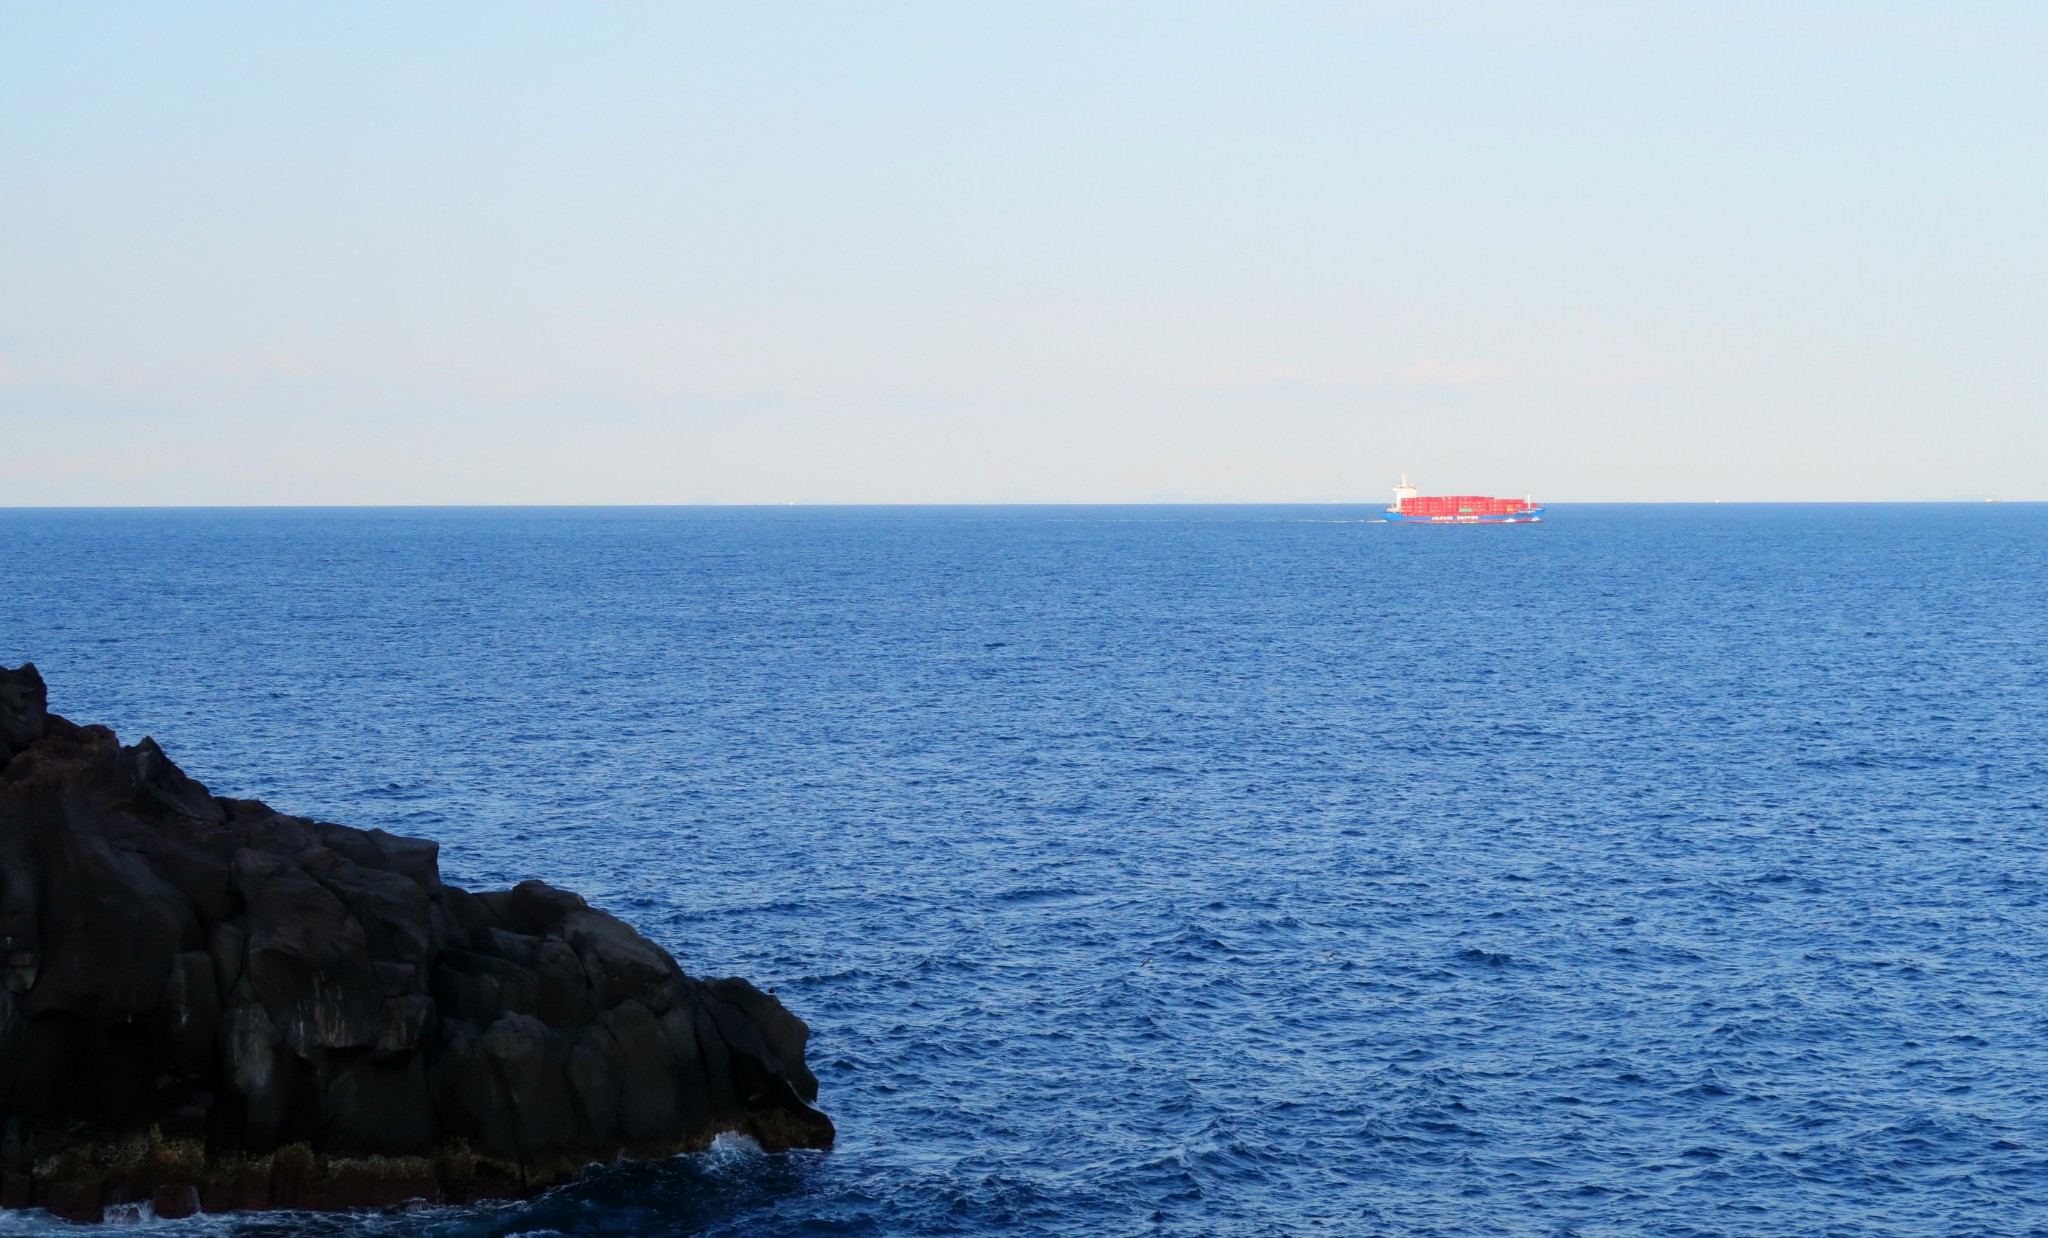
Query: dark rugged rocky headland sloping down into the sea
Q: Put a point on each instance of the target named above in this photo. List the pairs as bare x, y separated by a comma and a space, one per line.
212, 1005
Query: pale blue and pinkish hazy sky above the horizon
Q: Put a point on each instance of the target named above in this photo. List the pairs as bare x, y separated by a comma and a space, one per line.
1023, 253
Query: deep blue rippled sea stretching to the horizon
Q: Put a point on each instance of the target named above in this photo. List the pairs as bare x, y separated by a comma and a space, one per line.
1656, 870
